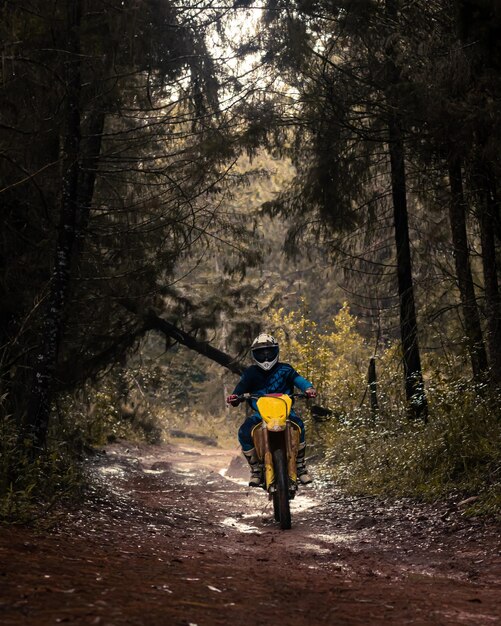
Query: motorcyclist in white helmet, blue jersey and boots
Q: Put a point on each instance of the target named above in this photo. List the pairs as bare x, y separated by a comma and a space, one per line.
268, 375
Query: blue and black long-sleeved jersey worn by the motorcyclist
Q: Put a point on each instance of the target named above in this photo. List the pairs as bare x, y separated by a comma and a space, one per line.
282, 378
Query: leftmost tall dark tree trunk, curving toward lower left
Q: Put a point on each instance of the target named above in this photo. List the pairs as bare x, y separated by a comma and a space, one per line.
40, 400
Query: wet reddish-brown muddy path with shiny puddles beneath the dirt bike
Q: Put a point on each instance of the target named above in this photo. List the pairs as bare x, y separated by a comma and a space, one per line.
166, 539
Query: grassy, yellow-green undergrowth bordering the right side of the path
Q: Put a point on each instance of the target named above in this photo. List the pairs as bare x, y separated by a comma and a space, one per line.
456, 453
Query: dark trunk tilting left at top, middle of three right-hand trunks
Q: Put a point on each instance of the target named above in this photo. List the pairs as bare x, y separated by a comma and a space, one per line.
457, 217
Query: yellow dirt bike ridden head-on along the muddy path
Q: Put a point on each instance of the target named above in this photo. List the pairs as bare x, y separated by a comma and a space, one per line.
276, 440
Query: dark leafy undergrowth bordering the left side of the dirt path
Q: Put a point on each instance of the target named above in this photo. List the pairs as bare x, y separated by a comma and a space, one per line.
33, 485
